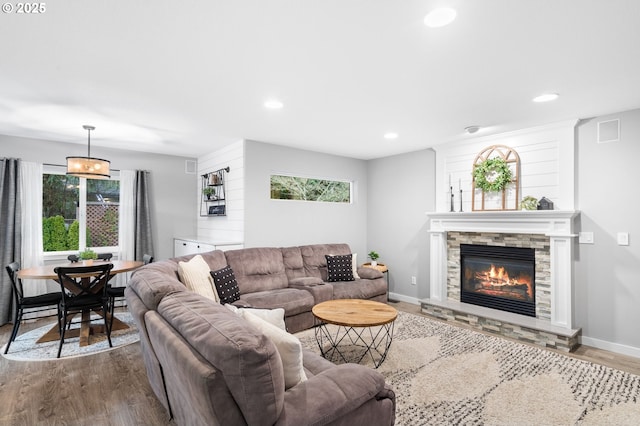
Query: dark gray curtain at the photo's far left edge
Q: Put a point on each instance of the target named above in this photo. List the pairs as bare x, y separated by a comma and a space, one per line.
10, 230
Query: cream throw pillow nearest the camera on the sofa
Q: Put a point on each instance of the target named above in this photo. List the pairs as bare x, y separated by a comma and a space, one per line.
288, 347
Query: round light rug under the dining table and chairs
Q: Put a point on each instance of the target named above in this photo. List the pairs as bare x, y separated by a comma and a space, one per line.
25, 348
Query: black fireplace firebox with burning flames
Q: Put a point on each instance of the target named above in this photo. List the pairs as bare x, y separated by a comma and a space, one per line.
498, 277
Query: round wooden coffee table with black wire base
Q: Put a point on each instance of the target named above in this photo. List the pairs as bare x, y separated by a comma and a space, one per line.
348, 323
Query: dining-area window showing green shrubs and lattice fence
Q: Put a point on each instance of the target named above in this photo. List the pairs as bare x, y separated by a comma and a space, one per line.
78, 213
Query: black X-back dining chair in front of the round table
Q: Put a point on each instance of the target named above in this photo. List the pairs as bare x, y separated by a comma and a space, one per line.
83, 288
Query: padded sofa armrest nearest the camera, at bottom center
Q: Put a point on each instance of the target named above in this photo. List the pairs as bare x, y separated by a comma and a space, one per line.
334, 394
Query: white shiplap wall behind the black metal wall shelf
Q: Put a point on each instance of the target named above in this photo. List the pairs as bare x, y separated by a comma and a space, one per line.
231, 226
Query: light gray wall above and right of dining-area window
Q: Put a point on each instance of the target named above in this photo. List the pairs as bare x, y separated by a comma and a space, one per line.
172, 190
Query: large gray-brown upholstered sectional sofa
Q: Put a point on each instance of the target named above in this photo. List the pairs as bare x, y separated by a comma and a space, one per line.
208, 365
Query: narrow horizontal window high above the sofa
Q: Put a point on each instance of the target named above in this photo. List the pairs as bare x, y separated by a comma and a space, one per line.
309, 189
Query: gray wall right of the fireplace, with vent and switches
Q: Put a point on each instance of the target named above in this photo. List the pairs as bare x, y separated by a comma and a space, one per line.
607, 274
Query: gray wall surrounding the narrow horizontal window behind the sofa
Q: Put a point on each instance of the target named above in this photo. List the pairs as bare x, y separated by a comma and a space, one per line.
281, 223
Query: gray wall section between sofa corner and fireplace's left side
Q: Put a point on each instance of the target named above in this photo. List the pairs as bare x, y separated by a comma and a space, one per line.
401, 191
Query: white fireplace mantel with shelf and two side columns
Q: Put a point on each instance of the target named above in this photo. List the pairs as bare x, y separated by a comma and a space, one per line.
558, 225
